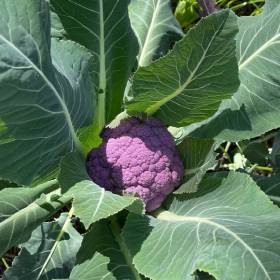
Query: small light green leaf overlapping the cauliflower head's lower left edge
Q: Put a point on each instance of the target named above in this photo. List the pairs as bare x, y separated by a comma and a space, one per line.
92, 203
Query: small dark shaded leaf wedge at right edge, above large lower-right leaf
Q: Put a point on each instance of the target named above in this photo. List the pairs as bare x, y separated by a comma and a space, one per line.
271, 186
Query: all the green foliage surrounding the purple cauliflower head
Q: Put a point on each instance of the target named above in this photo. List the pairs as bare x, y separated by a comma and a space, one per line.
225, 222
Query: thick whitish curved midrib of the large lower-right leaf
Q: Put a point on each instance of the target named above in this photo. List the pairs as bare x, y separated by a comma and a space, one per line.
171, 217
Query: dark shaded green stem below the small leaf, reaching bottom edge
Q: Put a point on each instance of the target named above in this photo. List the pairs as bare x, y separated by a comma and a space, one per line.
128, 258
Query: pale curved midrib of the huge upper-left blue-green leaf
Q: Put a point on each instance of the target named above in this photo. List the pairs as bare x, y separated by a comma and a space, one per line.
51, 86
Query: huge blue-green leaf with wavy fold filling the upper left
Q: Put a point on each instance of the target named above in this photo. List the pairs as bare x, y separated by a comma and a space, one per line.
41, 98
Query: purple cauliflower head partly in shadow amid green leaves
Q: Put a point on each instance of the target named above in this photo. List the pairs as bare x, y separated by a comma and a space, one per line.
137, 157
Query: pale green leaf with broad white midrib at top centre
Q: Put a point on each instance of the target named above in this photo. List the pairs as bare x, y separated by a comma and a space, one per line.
155, 28
